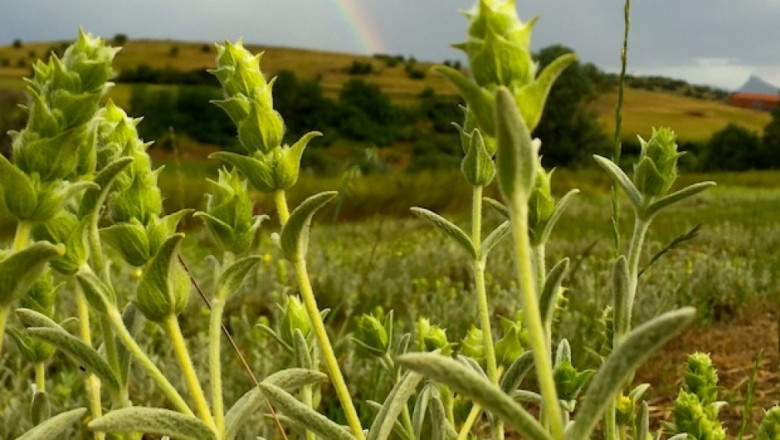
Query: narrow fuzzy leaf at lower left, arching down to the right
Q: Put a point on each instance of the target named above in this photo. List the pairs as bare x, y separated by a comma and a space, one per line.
79, 351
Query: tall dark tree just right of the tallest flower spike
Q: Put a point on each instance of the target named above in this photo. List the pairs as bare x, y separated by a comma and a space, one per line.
569, 132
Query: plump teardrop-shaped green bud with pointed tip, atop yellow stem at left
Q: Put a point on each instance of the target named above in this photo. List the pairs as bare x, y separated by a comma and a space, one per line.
164, 288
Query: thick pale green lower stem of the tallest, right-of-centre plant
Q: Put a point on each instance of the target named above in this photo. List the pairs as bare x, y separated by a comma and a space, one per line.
536, 334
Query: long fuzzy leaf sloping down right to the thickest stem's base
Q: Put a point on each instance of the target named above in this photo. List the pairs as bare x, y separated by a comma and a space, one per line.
468, 382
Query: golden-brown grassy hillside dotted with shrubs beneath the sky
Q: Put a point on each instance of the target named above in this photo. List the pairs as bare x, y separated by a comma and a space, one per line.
693, 119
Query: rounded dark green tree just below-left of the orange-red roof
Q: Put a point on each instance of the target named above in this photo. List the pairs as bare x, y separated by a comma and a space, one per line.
733, 148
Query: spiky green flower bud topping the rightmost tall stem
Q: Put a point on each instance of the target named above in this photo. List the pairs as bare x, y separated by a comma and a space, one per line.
656, 170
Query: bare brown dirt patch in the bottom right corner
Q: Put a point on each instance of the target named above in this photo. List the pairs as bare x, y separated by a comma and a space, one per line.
733, 343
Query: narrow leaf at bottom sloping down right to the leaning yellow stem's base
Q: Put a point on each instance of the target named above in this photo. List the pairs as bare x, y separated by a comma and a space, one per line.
312, 420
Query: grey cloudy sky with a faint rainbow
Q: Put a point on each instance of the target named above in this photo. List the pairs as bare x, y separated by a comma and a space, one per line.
712, 42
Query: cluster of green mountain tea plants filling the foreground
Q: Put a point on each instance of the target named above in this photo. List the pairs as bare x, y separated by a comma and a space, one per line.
83, 191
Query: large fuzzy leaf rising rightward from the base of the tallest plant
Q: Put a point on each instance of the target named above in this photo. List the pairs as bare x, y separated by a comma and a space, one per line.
637, 346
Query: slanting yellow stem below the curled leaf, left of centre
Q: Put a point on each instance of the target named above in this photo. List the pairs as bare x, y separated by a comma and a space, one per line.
329, 357
